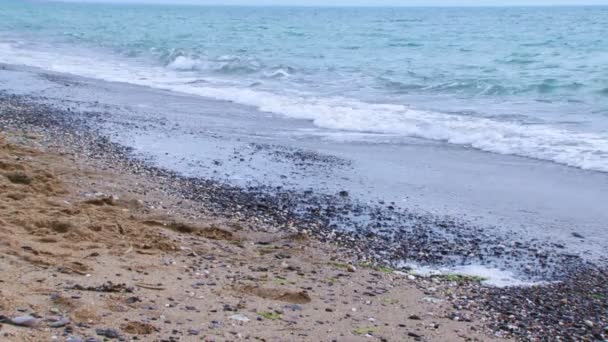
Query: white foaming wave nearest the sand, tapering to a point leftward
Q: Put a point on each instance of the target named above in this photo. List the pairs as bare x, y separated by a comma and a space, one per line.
582, 150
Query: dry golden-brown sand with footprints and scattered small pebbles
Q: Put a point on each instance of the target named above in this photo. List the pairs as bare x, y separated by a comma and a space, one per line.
92, 247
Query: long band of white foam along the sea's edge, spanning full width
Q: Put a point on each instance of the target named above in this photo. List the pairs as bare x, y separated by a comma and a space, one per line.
579, 149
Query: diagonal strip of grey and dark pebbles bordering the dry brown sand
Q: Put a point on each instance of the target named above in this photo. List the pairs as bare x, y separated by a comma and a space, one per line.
482, 304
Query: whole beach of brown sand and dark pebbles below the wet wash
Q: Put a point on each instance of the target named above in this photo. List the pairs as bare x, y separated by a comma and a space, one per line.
97, 240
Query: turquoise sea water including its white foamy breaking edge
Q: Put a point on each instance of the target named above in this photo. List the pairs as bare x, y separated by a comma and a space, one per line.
531, 82
